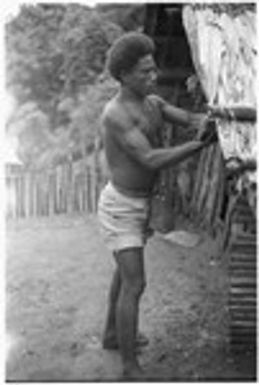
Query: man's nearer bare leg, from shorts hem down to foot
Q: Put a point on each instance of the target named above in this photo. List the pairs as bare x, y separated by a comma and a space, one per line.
131, 267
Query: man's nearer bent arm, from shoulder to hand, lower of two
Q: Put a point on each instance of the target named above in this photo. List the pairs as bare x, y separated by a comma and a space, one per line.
128, 134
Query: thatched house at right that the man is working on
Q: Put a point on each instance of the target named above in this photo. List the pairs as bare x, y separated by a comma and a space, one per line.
216, 45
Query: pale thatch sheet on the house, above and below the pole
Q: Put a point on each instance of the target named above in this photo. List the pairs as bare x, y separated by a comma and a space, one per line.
223, 43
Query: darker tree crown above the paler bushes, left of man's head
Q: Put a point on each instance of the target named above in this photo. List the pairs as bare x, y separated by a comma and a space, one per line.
55, 50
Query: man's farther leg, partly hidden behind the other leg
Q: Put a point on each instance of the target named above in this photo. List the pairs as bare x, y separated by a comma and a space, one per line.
110, 335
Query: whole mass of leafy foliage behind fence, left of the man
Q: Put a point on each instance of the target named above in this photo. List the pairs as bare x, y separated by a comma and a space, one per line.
55, 56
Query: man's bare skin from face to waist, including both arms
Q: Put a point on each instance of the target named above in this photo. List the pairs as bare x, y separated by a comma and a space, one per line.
131, 123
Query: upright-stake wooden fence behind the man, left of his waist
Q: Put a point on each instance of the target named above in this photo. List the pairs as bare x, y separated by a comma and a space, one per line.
68, 188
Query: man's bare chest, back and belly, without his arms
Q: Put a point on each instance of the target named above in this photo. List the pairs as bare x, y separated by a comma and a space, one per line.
127, 174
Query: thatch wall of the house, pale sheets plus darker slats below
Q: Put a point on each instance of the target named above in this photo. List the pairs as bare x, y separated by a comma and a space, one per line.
224, 51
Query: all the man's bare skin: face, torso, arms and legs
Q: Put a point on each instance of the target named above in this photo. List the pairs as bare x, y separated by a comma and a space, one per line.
131, 123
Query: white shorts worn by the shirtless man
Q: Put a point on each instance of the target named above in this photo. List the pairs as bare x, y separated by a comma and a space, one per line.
123, 219
